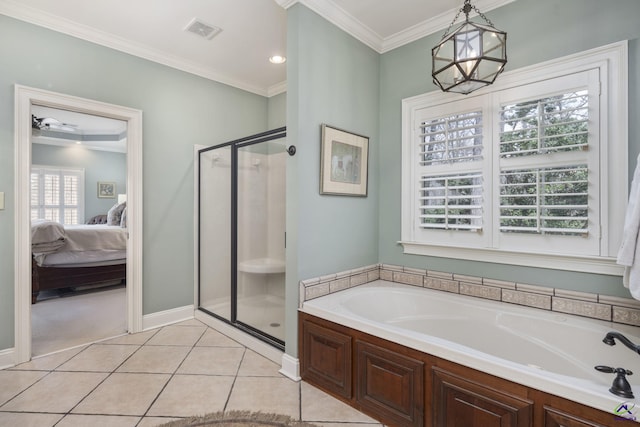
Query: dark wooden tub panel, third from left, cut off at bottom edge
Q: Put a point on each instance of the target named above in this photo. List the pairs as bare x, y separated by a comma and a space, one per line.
458, 402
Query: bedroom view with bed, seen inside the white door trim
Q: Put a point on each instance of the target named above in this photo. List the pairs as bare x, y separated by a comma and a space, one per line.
78, 228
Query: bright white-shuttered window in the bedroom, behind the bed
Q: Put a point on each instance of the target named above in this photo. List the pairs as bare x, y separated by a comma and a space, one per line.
57, 194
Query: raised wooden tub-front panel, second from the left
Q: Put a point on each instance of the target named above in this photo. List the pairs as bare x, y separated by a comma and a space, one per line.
389, 385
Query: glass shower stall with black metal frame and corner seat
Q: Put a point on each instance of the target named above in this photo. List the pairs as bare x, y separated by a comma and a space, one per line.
242, 233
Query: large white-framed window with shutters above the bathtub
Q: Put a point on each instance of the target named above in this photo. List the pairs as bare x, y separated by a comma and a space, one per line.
523, 172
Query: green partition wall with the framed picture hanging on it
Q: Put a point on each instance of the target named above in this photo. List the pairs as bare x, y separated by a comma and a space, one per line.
332, 78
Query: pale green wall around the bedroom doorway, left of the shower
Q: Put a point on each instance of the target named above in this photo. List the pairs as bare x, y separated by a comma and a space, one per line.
179, 110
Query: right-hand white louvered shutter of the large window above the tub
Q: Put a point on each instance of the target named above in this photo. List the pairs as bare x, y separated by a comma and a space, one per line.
545, 199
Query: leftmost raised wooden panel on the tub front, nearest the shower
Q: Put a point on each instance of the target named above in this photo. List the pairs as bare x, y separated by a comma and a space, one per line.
326, 358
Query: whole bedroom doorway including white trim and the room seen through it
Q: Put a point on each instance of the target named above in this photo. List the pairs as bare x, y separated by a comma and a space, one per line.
61, 185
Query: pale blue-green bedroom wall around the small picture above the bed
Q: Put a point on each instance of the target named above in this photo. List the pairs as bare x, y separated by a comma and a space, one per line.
97, 165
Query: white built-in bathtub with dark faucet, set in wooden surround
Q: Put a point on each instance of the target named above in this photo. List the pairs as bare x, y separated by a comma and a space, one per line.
549, 351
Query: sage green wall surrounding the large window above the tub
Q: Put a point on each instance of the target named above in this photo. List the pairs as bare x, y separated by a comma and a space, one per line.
537, 31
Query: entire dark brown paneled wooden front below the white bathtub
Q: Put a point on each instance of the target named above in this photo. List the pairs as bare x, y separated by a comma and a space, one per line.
400, 386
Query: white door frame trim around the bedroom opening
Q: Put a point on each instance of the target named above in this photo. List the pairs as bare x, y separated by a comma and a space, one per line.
25, 97
